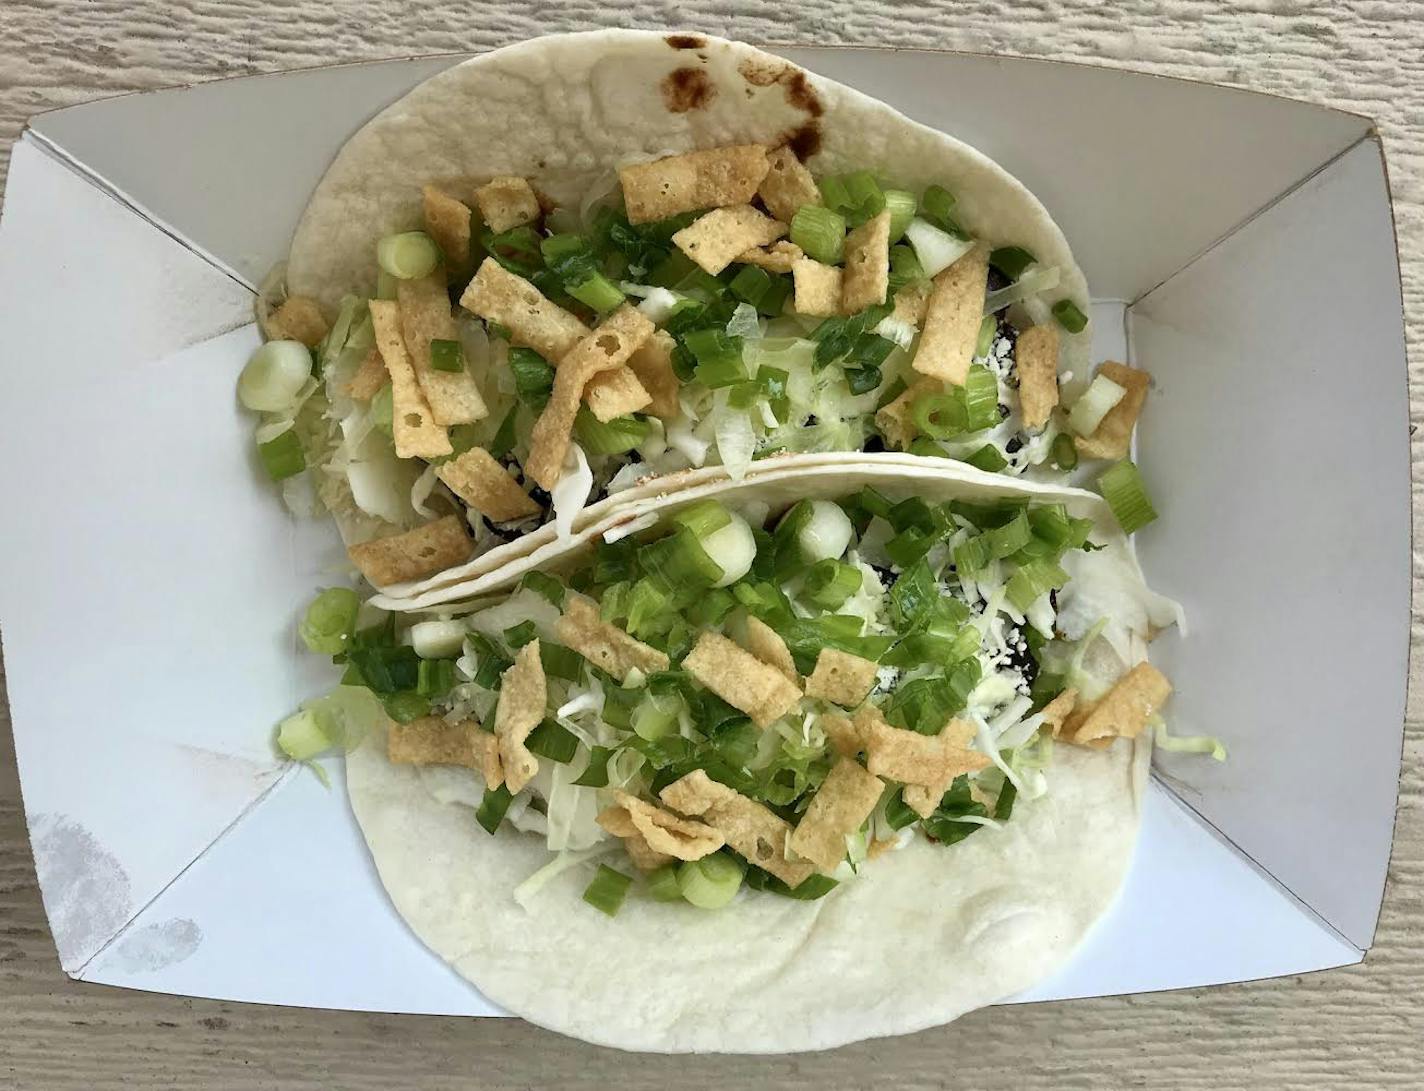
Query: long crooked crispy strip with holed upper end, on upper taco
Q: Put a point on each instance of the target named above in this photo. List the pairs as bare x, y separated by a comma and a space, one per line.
606, 348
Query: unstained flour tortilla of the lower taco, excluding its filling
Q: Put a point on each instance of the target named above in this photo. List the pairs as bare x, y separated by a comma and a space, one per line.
928, 935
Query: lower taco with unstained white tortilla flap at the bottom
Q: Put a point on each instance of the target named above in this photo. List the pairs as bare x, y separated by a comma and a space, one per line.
763, 767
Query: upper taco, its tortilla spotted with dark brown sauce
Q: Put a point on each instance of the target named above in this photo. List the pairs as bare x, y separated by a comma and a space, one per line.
587, 261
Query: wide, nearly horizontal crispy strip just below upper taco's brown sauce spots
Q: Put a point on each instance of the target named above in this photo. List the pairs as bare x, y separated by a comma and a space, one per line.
679, 184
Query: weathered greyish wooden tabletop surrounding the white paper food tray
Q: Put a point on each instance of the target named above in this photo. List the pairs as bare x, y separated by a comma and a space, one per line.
1363, 1026
